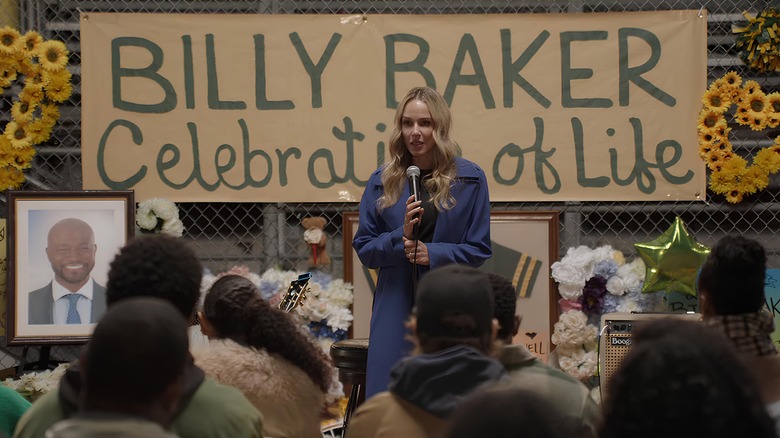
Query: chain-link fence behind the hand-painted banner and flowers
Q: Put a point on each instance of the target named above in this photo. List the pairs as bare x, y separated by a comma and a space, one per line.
262, 235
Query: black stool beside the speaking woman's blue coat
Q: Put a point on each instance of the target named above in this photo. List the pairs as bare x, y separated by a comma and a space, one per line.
350, 356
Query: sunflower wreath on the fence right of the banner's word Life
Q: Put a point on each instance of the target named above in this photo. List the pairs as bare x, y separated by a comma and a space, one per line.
731, 176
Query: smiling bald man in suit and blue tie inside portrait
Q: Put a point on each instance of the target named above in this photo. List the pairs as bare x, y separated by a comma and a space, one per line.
72, 297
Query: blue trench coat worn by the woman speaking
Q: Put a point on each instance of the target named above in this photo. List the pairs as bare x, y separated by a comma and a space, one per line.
462, 236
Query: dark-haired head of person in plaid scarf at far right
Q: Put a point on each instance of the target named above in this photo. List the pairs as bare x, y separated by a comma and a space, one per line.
732, 278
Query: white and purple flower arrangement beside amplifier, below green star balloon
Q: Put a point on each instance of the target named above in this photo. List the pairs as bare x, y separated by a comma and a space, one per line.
592, 282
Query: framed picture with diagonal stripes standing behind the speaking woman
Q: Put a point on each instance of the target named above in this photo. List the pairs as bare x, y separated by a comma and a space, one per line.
525, 244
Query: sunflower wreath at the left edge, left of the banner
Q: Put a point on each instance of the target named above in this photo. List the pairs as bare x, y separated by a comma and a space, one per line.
41, 65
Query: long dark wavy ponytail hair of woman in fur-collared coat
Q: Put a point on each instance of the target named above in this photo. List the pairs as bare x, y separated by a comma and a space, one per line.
237, 312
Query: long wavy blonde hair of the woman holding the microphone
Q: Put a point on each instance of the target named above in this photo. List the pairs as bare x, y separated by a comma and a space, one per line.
444, 168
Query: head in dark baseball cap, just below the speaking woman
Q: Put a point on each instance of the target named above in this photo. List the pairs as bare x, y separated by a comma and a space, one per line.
454, 307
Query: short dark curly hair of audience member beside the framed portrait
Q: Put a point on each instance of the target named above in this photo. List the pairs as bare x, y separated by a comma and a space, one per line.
158, 266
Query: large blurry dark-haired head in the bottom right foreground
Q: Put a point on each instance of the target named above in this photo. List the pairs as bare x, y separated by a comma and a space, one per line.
683, 379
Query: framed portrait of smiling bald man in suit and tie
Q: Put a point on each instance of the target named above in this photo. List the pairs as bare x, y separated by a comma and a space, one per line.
60, 245
